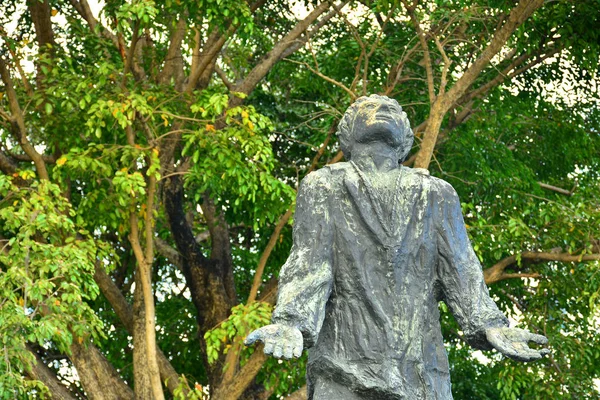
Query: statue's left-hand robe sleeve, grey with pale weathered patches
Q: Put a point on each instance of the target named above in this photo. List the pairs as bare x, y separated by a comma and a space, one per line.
305, 280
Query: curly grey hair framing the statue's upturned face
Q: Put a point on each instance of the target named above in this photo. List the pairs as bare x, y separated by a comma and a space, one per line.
345, 129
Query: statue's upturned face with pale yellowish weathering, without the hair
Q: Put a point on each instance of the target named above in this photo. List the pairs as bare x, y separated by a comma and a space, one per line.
378, 120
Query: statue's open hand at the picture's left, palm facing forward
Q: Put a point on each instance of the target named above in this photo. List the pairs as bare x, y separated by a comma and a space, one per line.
280, 340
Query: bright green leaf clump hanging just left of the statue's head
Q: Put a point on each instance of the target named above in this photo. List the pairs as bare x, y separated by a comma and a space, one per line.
235, 162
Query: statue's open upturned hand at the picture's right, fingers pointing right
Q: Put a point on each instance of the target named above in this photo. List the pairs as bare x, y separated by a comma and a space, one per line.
512, 342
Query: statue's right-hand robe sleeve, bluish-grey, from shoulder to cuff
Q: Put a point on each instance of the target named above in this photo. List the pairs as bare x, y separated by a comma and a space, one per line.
460, 275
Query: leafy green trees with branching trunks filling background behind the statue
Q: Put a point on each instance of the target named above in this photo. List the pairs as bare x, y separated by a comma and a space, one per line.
151, 154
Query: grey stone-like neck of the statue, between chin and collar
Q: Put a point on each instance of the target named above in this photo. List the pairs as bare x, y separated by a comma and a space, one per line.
375, 157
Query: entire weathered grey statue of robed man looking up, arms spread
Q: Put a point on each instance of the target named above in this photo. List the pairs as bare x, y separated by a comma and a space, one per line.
376, 246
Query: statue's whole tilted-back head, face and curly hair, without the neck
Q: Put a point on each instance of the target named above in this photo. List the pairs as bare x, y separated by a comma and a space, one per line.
375, 118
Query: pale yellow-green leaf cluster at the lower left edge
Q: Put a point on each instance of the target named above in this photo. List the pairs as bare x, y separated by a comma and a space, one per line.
46, 279
